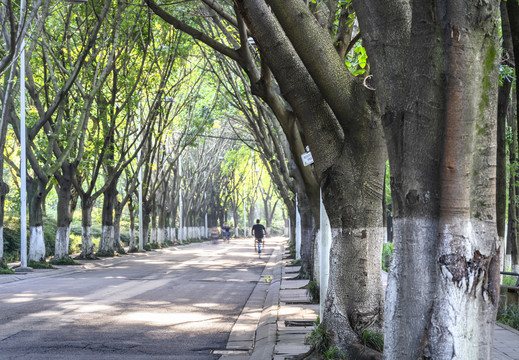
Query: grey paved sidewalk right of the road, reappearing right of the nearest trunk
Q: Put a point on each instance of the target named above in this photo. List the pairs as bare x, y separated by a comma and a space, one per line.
288, 319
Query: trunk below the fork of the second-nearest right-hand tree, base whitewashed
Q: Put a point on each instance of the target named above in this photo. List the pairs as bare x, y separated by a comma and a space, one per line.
355, 297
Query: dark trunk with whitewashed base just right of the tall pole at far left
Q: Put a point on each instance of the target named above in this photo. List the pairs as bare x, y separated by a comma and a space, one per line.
36, 193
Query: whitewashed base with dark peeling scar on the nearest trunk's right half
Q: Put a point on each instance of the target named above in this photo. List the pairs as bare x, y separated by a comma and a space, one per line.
456, 316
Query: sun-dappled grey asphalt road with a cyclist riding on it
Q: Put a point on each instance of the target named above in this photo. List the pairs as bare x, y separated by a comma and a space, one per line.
175, 303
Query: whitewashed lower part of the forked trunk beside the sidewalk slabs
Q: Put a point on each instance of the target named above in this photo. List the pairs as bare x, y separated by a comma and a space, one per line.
366, 302
